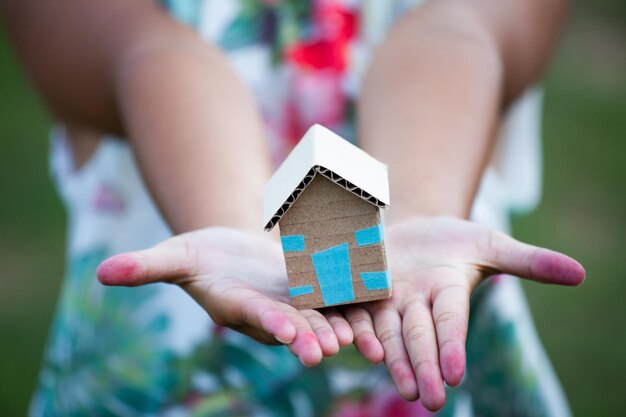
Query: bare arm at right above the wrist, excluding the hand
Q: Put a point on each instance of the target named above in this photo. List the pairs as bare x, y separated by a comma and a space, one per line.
432, 100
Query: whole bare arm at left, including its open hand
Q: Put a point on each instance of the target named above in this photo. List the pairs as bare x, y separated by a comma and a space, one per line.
126, 67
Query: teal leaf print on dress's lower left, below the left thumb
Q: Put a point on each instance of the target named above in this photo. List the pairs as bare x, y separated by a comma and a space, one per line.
105, 352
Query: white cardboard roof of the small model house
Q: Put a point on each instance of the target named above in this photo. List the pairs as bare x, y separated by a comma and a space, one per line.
323, 152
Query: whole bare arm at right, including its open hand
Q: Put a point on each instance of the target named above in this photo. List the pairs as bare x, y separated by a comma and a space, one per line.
430, 107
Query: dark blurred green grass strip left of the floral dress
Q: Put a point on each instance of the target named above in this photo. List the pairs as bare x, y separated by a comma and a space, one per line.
31, 236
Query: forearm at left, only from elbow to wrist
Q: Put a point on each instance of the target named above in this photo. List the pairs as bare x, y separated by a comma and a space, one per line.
196, 134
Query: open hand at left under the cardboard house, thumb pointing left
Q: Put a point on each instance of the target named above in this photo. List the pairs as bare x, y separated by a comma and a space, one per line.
240, 280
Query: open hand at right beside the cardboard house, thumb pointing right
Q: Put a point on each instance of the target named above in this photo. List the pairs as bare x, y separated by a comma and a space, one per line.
435, 265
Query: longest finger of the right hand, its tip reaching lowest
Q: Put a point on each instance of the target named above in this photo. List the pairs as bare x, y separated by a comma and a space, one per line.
421, 344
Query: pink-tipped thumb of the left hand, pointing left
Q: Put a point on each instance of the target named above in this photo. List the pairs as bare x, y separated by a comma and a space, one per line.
167, 261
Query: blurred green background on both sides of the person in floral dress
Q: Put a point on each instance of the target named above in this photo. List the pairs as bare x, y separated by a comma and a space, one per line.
583, 213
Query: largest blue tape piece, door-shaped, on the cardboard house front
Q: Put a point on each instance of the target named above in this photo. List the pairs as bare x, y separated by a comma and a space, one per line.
332, 267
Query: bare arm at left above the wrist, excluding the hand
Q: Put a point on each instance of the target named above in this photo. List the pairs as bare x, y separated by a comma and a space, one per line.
127, 68
